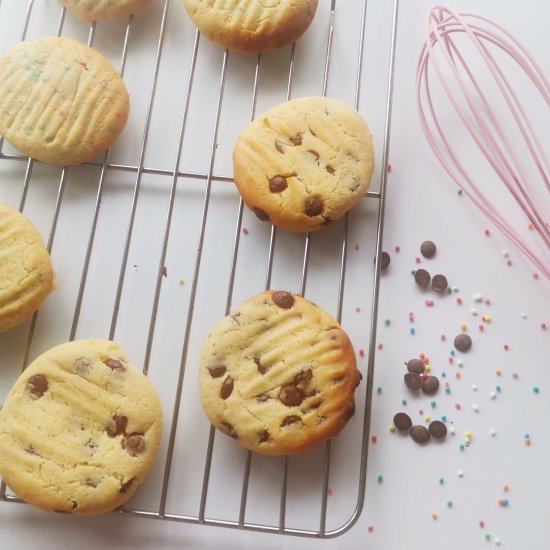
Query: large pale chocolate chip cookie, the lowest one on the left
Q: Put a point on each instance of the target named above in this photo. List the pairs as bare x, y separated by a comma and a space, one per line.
79, 429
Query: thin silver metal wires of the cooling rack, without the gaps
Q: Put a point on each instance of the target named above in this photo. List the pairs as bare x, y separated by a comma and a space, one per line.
176, 175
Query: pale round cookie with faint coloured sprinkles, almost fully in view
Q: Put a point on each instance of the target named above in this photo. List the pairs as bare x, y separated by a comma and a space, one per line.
61, 102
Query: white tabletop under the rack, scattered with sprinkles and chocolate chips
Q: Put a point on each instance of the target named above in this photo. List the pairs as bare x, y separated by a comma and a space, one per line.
422, 204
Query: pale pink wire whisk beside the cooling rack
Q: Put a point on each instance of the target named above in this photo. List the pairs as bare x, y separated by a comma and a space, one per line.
484, 121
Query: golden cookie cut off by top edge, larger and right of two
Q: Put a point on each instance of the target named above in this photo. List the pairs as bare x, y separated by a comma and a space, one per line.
250, 26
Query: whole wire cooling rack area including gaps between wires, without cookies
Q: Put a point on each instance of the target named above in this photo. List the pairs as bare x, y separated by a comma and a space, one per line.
151, 246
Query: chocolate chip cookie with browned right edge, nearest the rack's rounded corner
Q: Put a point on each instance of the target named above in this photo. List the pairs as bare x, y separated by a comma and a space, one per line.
278, 375
